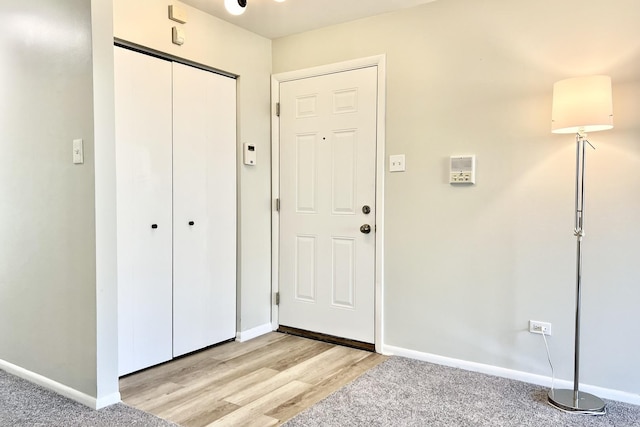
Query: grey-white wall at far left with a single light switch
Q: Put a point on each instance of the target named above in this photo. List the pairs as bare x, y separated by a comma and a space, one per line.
47, 221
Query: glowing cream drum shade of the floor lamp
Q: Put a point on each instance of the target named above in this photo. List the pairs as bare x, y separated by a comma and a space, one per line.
582, 104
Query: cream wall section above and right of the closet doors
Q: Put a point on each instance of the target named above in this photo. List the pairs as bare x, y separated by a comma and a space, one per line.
218, 44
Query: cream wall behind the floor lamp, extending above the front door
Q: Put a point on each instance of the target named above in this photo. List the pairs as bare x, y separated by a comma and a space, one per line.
467, 267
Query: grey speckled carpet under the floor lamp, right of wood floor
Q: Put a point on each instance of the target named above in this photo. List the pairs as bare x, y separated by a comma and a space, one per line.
405, 392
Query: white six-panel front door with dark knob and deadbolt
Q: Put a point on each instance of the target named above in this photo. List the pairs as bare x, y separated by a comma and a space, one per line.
327, 204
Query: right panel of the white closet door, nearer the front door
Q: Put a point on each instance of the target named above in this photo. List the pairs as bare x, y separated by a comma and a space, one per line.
204, 208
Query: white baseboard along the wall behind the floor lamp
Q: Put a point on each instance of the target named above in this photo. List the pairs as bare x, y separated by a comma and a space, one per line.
604, 393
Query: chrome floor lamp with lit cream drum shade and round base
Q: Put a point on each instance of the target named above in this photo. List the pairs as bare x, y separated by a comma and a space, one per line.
580, 105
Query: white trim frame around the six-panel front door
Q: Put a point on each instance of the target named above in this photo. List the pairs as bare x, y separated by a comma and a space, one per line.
378, 61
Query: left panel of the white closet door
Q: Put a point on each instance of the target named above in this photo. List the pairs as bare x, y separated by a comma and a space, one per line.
143, 167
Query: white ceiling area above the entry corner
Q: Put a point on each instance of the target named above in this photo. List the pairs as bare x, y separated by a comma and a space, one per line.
271, 19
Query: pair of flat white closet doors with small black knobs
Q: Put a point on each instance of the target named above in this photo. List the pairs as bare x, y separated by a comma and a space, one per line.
176, 208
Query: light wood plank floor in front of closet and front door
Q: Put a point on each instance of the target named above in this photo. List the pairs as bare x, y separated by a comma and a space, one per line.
261, 382
